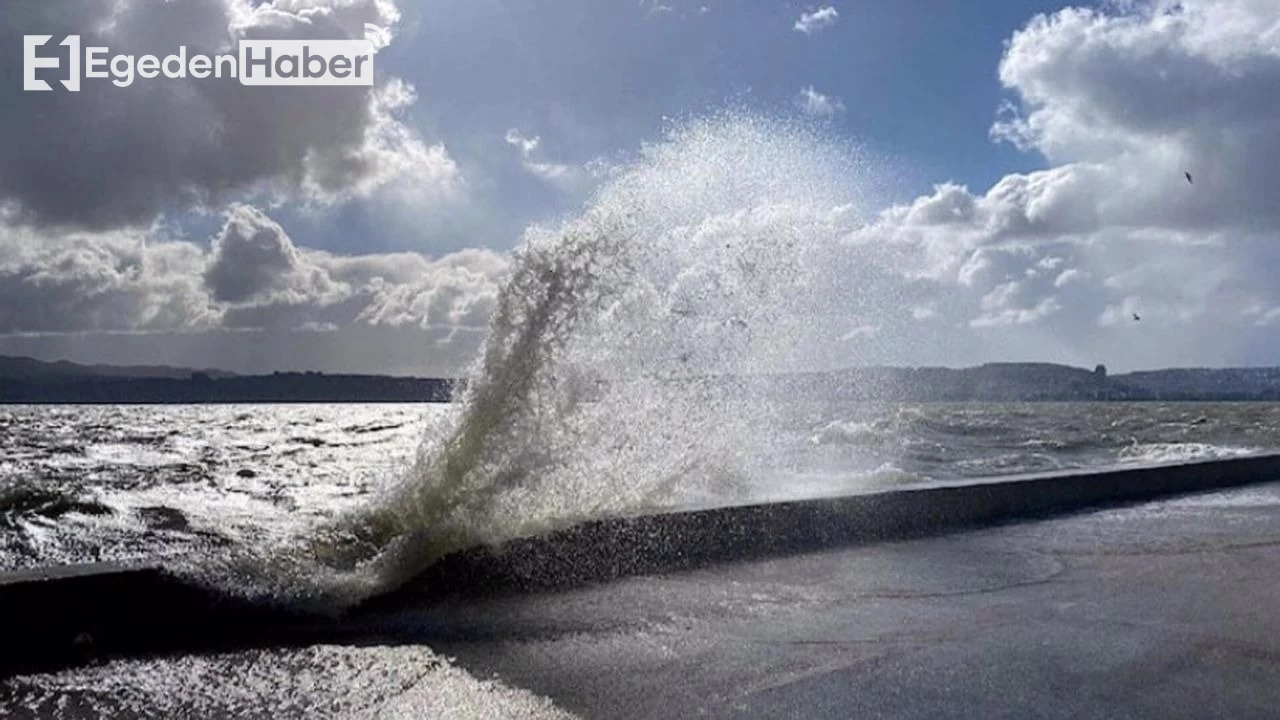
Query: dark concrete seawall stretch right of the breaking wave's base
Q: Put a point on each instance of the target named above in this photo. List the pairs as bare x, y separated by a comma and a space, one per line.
618, 548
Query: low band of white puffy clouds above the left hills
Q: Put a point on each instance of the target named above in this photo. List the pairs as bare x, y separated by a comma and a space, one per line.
252, 277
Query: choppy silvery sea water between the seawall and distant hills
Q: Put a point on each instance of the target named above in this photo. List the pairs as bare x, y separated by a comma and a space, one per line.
140, 484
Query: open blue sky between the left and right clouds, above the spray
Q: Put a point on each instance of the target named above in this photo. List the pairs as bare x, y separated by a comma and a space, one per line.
597, 80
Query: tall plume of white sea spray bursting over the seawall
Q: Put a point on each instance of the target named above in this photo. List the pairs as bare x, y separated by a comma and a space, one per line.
629, 359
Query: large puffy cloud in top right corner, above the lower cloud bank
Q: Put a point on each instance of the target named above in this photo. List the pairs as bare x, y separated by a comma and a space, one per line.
1150, 94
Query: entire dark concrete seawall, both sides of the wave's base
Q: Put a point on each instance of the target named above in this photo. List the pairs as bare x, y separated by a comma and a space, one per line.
74, 616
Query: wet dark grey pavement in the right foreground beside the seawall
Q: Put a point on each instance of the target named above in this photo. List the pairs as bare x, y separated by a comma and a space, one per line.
1169, 609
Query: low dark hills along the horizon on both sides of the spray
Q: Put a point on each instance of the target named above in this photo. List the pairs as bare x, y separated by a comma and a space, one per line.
24, 380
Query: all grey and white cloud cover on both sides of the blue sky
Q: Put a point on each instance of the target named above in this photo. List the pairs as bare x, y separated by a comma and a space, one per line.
1052, 265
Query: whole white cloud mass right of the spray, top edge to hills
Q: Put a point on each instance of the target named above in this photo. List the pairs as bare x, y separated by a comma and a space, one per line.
1121, 102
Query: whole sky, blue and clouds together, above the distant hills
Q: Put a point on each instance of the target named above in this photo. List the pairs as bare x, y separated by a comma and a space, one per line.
1021, 184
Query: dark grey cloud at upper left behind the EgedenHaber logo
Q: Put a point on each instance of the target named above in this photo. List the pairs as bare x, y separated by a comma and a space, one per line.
111, 157
